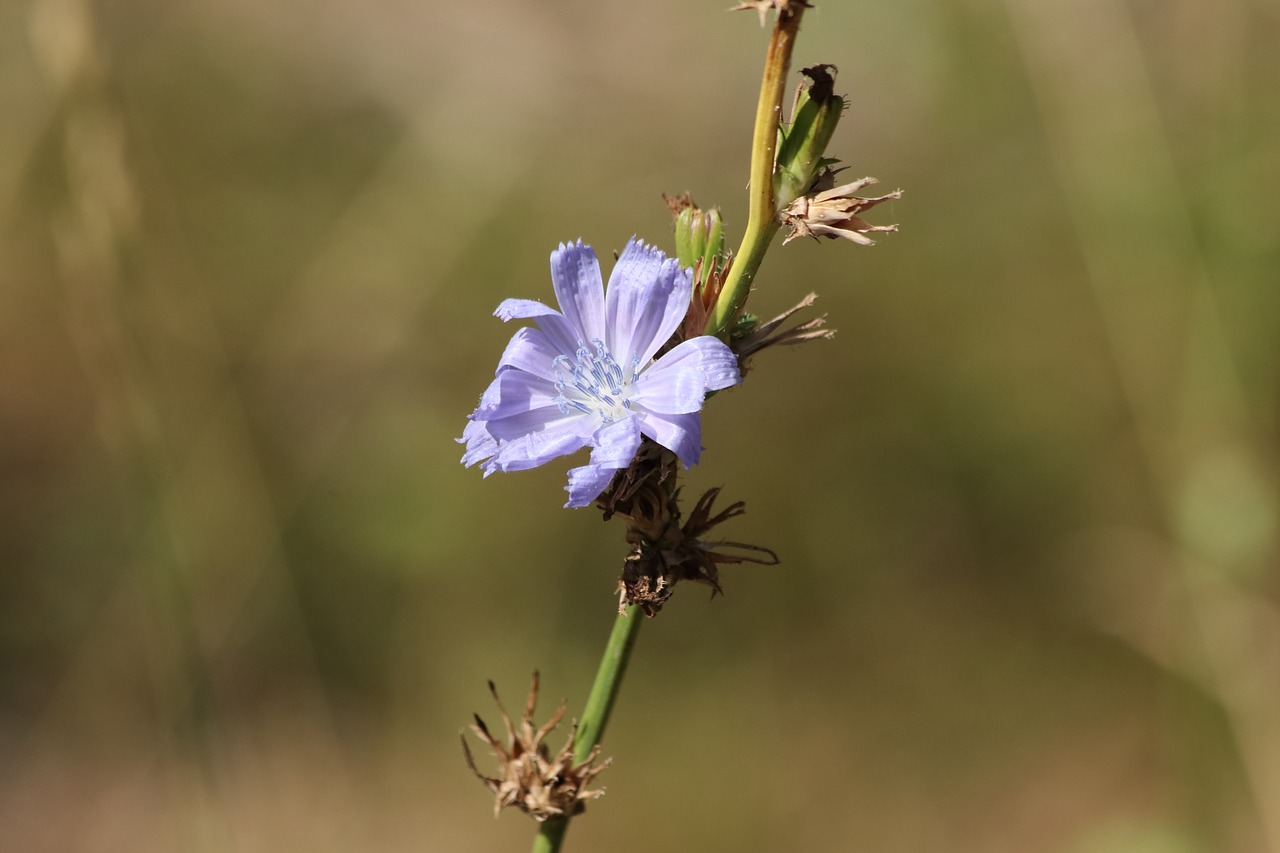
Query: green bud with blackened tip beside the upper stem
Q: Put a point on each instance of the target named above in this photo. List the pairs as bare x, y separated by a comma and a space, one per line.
803, 143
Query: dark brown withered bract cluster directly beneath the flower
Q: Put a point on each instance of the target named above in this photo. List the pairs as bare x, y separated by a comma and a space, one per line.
664, 550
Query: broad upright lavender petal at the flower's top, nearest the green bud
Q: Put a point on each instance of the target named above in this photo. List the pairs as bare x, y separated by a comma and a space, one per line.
647, 300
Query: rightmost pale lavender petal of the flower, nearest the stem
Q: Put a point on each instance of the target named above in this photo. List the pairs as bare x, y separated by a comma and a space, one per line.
678, 384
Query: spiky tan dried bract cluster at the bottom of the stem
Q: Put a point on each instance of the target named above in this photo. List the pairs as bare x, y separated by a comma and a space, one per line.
531, 778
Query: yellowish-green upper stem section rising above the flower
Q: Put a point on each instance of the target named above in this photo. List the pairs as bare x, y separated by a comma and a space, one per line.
762, 209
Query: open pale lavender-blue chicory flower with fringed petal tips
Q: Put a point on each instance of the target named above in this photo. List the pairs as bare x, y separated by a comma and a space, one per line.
587, 376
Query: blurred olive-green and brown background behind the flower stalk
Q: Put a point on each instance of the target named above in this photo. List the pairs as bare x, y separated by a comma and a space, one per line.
1026, 501
